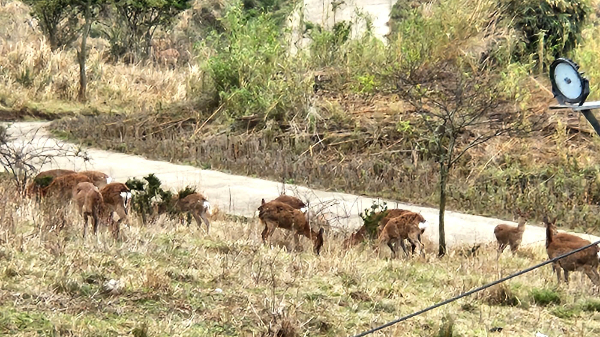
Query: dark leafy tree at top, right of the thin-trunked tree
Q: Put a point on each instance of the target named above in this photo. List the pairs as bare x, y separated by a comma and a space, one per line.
143, 17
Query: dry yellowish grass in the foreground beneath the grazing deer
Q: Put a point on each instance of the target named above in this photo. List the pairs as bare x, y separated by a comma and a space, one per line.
174, 280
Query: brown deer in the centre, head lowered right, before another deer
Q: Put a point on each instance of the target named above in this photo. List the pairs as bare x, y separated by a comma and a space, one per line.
276, 214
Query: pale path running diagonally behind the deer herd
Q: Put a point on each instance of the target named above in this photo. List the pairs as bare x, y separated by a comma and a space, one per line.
241, 195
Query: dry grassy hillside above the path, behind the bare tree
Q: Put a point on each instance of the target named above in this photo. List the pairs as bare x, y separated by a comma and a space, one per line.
331, 116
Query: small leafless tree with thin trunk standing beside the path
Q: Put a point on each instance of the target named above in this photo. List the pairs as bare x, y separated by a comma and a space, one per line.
461, 110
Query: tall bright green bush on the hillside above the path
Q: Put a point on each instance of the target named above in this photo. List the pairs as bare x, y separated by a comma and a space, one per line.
251, 70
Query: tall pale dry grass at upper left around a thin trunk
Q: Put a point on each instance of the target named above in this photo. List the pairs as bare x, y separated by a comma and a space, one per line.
34, 75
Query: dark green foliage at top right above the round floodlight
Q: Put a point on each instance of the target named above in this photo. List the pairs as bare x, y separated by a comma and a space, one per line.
551, 26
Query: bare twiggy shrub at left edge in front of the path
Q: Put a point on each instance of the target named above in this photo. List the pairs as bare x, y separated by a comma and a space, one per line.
23, 153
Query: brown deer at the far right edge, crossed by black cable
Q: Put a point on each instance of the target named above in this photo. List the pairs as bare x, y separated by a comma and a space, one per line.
558, 244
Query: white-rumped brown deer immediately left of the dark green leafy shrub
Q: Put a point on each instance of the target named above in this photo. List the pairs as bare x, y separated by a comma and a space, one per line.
117, 199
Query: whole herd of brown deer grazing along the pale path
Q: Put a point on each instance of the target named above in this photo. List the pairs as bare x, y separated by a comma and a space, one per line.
98, 198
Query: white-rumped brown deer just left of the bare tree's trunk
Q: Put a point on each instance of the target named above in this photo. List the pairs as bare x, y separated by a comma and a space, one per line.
409, 226
